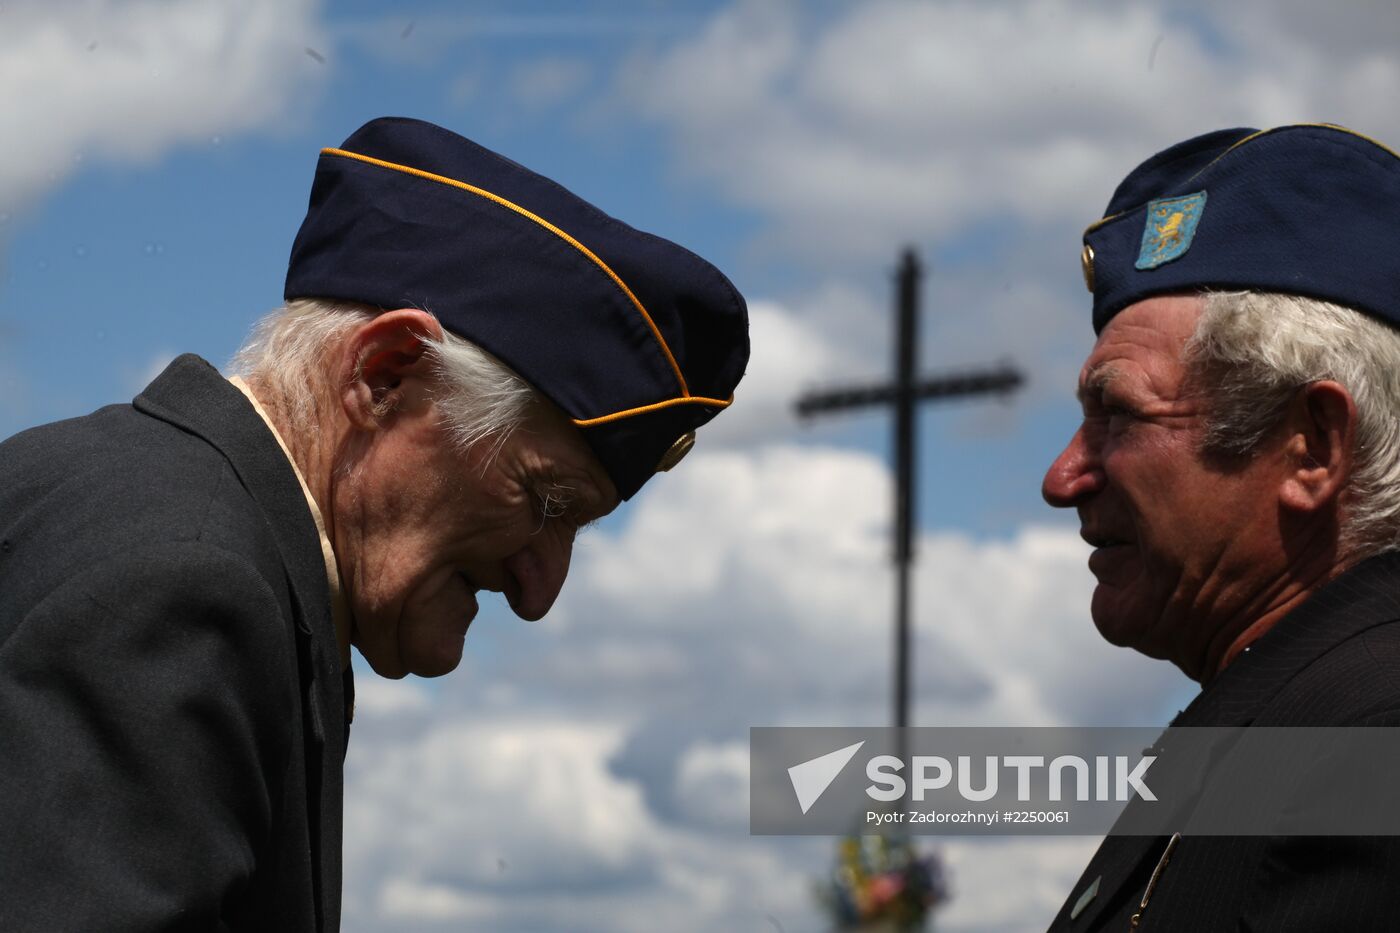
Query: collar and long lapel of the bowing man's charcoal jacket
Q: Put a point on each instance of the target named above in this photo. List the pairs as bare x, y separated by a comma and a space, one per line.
192, 396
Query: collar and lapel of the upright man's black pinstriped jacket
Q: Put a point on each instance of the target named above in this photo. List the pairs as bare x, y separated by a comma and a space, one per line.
1360, 599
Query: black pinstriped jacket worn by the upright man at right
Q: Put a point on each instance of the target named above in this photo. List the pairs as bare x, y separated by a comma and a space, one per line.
1333, 662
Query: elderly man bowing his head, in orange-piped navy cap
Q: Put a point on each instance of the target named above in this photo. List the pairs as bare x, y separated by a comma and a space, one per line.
472, 364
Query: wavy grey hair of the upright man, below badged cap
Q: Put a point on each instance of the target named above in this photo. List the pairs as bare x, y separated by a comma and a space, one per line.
1252, 352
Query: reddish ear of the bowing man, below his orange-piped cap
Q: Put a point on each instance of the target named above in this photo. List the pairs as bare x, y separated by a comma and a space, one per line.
383, 364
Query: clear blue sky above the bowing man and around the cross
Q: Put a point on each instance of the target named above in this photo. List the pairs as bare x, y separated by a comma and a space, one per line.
183, 249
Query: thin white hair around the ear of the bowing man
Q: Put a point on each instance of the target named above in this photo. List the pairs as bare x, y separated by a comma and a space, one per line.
479, 397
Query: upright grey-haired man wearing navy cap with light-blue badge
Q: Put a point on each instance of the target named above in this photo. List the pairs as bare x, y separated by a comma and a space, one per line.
1238, 476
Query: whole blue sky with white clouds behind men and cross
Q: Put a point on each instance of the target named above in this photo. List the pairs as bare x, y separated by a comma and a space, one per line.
590, 773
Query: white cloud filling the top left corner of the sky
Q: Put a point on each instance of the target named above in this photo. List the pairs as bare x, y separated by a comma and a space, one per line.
127, 81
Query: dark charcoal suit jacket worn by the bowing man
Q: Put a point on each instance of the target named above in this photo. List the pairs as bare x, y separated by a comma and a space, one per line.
171, 704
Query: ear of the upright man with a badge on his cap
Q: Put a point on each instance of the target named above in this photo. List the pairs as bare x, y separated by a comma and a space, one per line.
1321, 428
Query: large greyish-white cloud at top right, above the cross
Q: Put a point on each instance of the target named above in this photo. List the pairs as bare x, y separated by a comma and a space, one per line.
911, 121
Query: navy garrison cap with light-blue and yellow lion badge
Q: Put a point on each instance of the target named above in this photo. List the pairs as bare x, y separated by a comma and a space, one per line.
1310, 209
